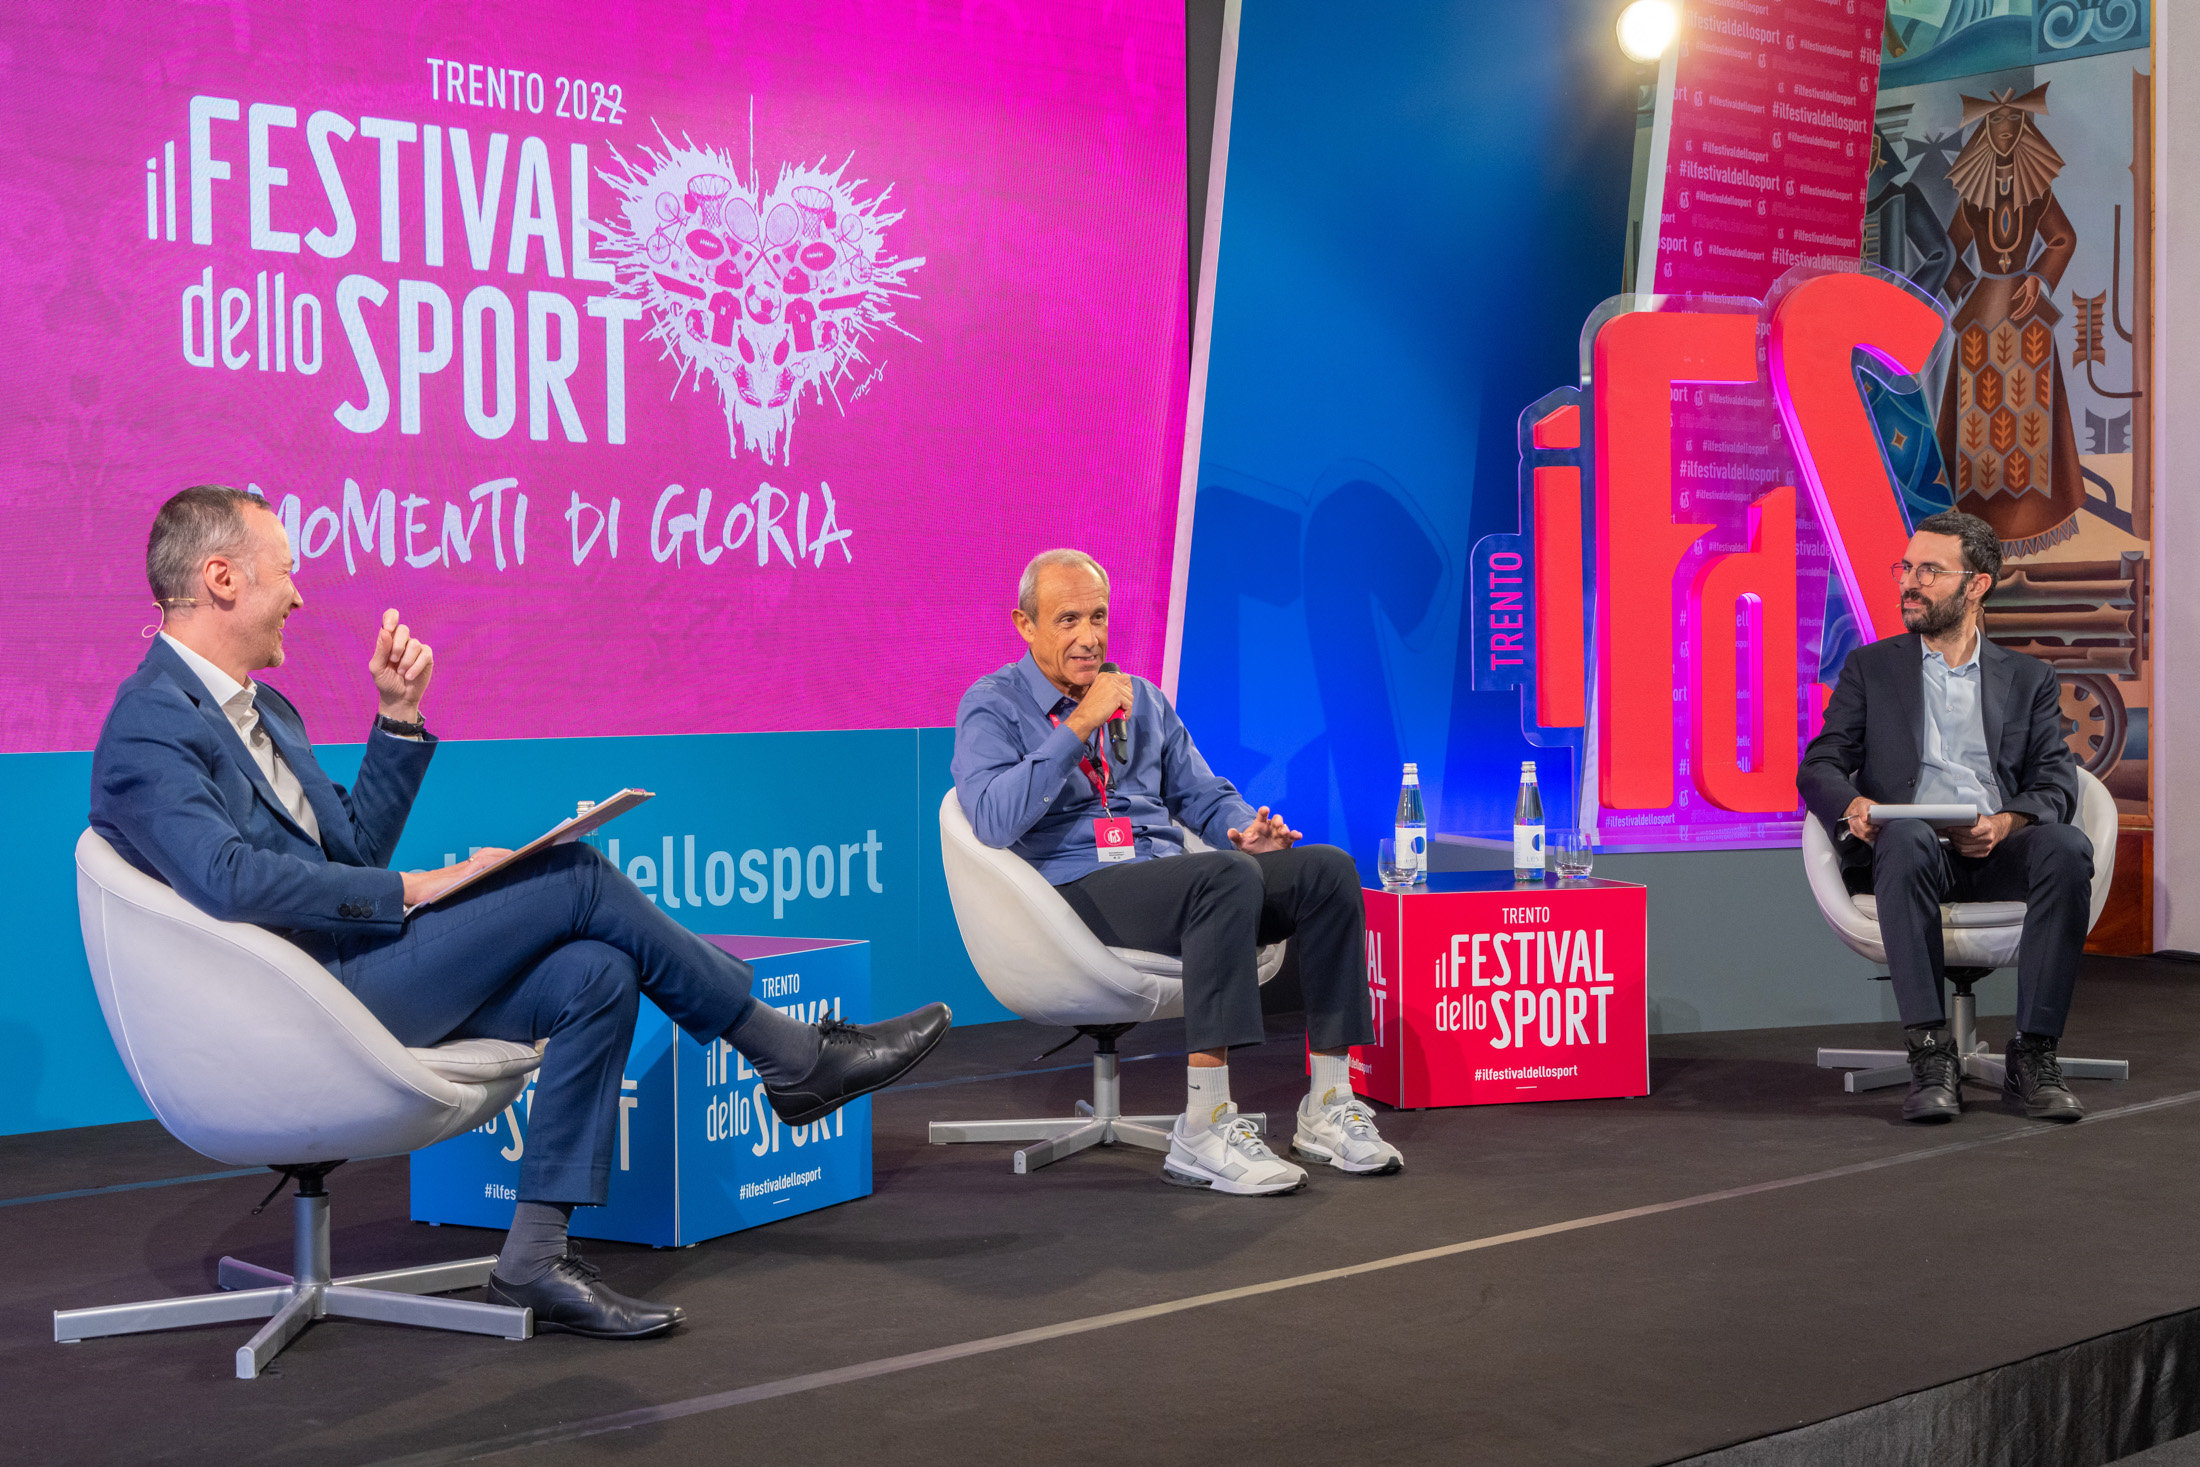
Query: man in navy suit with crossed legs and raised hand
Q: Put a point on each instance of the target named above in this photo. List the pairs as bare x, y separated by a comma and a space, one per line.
206, 780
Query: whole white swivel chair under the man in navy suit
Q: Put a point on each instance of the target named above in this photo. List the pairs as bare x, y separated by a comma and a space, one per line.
254, 1055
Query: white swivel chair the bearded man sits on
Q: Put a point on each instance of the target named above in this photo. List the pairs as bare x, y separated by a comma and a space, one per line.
1977, 940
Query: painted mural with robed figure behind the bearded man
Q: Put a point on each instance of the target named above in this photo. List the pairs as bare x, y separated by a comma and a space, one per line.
2012, 177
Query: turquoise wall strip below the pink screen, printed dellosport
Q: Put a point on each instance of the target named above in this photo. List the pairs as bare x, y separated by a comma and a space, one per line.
723, 799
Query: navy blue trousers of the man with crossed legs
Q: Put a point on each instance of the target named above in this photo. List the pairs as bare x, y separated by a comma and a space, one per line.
562, 949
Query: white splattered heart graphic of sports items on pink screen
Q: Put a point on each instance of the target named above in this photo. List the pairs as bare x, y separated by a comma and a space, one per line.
767, 294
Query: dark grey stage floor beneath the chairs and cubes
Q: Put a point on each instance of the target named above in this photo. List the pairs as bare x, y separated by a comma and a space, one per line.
1785, 1292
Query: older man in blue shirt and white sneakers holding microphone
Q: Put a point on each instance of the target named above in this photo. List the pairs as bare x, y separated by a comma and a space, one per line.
1039, 773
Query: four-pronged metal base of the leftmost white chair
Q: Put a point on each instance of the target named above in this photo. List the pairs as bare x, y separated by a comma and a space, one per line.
294, 1301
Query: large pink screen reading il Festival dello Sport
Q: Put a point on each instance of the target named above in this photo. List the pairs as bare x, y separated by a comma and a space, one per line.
670, 368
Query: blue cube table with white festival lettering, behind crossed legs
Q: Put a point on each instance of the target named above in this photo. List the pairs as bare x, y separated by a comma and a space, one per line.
701, 1151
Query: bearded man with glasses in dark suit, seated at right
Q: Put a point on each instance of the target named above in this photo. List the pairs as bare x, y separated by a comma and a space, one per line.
1941, 716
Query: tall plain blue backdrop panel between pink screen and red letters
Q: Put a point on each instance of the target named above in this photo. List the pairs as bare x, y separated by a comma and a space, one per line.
1418, 221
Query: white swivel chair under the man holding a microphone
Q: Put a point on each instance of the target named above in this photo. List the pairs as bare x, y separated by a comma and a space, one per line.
1044, 964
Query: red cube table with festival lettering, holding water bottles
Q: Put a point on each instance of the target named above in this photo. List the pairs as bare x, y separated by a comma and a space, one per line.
1493, 991
